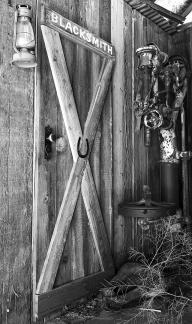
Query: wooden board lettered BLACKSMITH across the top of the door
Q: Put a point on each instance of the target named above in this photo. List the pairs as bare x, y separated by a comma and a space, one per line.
76, 33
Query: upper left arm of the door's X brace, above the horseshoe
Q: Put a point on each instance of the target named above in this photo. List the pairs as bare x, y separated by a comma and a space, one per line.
63, 87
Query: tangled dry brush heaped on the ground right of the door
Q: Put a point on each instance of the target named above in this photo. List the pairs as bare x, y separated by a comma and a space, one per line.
160, 283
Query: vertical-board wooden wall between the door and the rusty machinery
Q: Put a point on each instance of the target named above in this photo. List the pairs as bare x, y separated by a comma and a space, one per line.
134, 165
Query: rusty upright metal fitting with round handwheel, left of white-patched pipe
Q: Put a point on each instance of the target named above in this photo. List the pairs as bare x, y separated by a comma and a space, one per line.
150, 61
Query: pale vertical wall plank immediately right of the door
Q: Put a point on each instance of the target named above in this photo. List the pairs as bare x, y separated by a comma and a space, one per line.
117, 38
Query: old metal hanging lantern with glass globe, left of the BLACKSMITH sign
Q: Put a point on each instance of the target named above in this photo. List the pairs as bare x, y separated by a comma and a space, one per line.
23, 39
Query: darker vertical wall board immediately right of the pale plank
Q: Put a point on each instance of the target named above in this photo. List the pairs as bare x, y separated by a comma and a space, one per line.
129, 123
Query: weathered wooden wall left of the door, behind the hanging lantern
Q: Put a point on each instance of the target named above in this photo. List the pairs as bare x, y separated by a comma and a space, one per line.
16, 149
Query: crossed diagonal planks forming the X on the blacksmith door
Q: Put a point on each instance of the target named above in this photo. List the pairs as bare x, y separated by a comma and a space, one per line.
63, 222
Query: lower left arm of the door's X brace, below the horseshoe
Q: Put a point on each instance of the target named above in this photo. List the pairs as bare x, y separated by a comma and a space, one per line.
61, 229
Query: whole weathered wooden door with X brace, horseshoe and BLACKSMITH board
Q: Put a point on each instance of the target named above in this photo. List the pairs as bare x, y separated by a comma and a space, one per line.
71, 249
